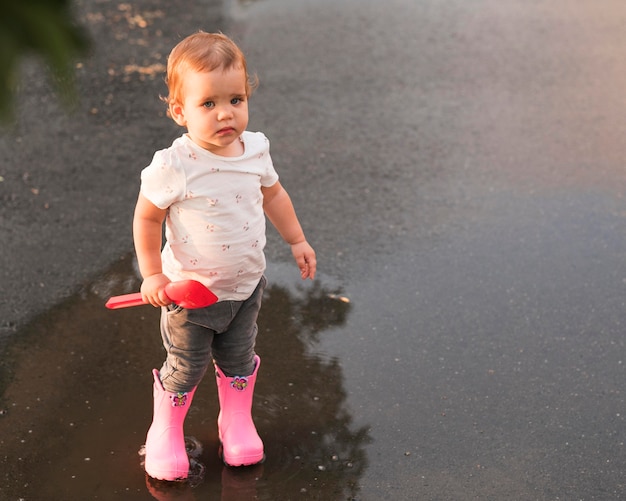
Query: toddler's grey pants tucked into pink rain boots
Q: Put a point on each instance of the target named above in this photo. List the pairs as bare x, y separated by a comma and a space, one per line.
224, 332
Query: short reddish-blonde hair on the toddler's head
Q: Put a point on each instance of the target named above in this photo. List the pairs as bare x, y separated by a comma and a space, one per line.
203, 52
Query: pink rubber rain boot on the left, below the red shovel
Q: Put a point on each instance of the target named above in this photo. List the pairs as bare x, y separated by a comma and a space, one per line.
166, 457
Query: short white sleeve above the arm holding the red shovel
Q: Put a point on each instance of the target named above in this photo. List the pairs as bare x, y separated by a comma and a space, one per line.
163, 181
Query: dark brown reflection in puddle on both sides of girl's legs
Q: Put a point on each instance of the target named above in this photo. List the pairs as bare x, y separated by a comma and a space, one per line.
76, 402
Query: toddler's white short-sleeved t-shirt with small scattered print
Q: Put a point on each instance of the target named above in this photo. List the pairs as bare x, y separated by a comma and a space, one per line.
215, 225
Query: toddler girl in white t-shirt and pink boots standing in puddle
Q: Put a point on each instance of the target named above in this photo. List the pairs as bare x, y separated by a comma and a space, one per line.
213, 188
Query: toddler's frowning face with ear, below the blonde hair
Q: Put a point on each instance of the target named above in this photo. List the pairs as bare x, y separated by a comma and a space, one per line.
214, 109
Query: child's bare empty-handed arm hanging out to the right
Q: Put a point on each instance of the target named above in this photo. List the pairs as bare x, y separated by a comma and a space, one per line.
280, 212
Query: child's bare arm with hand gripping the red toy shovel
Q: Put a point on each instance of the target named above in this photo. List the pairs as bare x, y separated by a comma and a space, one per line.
147, 231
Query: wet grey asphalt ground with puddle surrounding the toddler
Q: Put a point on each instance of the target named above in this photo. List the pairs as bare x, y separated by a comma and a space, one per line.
458, 167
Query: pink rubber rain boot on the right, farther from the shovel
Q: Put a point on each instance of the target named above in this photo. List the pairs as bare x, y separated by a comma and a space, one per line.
241, 445
